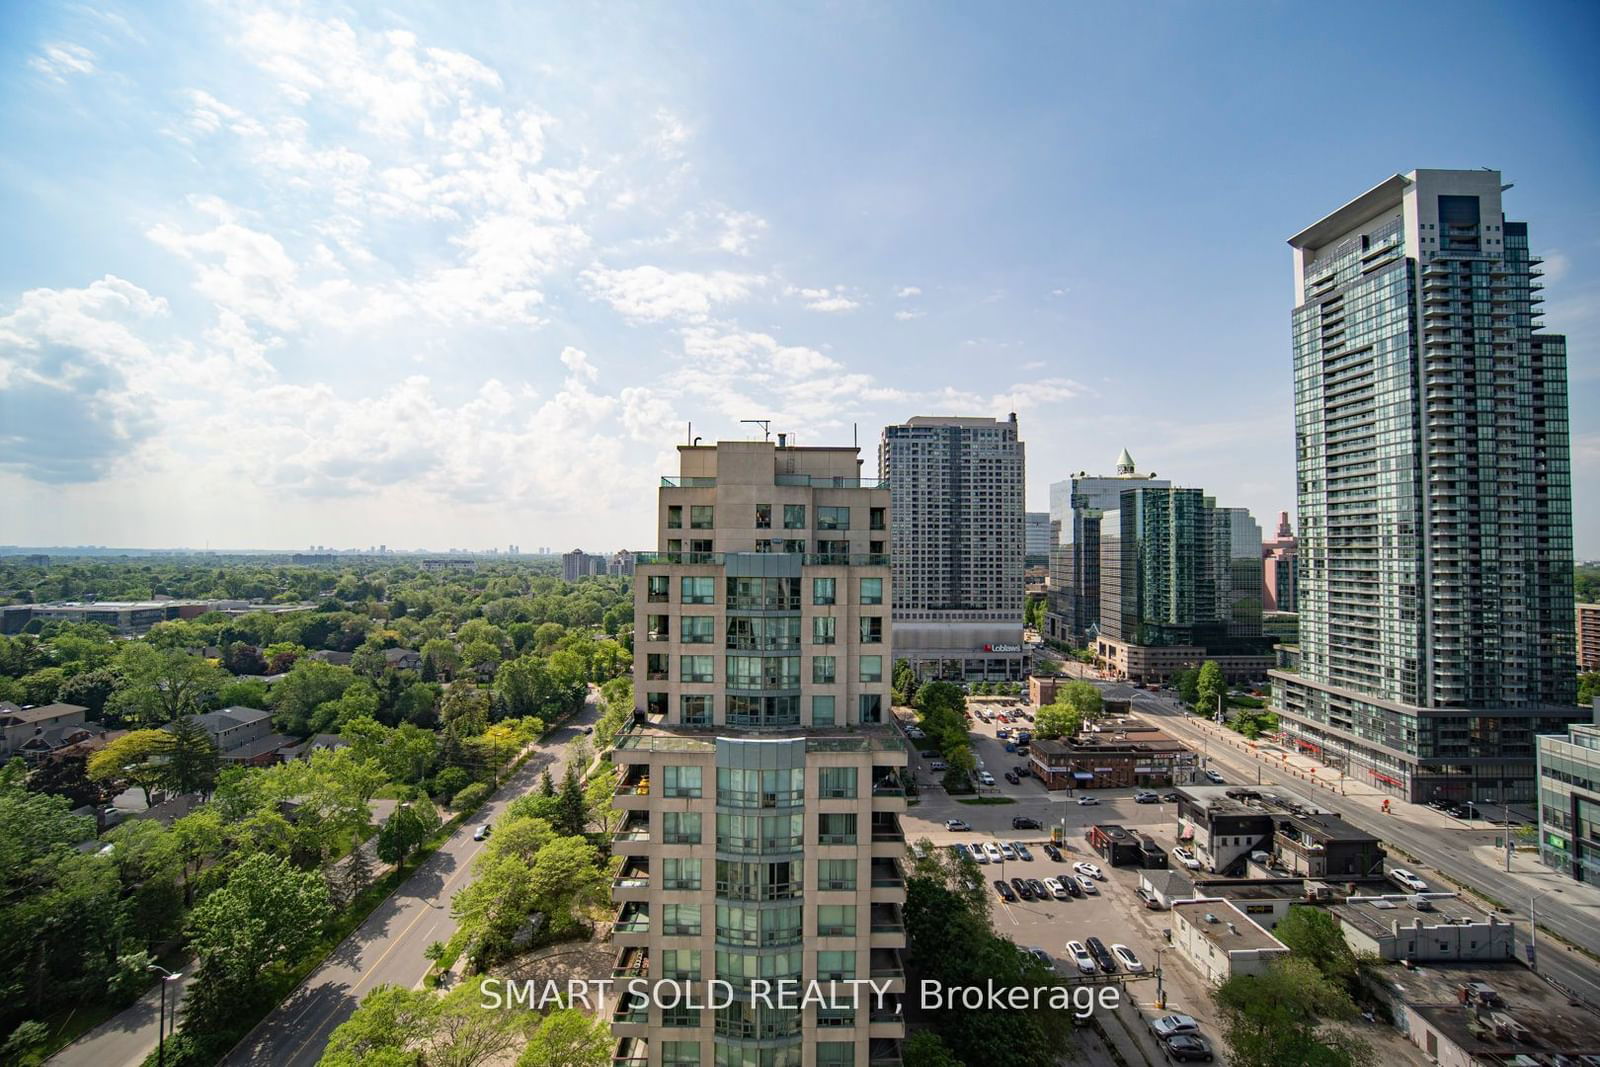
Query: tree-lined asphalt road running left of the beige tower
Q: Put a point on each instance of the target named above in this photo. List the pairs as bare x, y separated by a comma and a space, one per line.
390, 946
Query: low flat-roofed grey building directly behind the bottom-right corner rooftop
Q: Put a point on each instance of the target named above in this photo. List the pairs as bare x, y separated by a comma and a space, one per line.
1423, 929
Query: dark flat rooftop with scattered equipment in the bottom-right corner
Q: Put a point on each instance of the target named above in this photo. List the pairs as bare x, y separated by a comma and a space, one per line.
1548, 1025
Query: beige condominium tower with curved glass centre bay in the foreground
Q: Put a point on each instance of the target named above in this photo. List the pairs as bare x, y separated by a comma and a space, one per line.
761, 780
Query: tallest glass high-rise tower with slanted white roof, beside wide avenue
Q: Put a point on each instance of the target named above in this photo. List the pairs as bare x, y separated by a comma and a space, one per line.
1436, 601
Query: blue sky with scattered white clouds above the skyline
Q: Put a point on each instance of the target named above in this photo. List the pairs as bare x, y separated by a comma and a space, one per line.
278, 276
